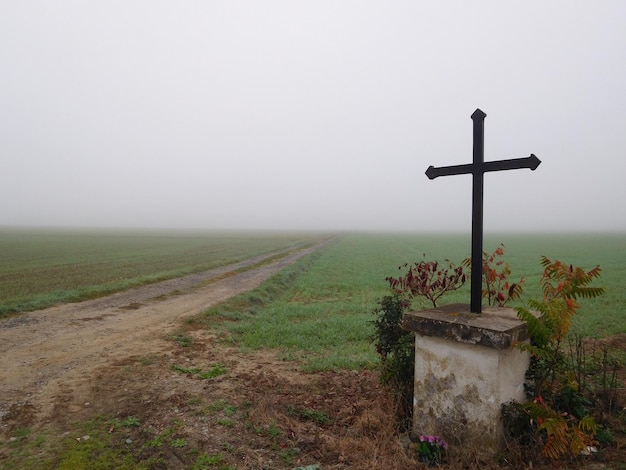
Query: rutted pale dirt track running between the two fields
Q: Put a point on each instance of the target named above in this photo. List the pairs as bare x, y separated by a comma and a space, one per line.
52, 352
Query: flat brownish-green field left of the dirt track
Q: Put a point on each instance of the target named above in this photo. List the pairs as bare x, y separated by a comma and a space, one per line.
43, 268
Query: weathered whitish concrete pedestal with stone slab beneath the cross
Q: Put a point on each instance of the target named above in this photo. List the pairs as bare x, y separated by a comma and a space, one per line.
465, 369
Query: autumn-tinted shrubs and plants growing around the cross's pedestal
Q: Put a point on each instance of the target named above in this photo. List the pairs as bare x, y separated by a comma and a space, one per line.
574, 386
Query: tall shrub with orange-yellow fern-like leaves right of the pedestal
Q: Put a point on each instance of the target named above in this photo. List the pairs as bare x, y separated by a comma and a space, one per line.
558, 410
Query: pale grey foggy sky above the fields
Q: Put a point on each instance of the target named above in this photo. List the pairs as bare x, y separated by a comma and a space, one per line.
310, 114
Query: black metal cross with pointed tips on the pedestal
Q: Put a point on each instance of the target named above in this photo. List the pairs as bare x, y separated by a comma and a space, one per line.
477, 169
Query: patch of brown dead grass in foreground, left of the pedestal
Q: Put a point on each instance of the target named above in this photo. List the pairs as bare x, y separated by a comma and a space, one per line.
253, 415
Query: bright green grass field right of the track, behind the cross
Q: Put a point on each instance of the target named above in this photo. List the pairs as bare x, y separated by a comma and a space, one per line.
322, 312
